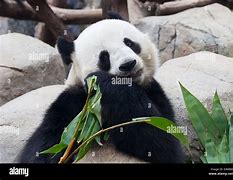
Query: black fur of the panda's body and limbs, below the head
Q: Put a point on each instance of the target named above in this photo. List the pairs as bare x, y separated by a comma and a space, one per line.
120, 103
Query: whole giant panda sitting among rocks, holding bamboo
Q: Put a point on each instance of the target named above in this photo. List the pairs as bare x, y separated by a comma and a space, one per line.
108, 49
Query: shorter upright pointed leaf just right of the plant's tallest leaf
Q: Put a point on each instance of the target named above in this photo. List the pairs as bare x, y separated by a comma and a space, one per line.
219, 116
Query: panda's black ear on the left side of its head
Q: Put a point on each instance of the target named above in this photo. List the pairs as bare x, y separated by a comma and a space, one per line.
65, 48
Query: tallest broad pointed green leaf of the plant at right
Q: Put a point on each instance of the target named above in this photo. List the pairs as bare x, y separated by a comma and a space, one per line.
200, 118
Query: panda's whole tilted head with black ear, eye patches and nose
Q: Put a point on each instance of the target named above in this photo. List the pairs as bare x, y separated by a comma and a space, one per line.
111, 45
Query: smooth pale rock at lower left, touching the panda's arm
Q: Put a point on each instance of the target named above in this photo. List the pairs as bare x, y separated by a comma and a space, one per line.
20, 117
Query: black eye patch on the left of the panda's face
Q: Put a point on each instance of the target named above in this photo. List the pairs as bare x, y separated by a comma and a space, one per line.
104, 61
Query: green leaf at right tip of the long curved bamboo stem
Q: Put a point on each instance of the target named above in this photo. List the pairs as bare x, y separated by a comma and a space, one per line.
167, 126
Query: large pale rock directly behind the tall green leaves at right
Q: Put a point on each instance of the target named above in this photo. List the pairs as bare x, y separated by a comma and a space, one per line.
202, 74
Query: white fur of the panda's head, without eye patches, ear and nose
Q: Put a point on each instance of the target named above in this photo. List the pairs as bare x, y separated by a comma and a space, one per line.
108, 35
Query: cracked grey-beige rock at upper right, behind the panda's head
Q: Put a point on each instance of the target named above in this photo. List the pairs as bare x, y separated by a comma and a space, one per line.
193, 30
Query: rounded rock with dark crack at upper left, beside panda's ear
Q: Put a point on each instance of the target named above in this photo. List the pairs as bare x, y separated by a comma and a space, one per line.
27, 63
